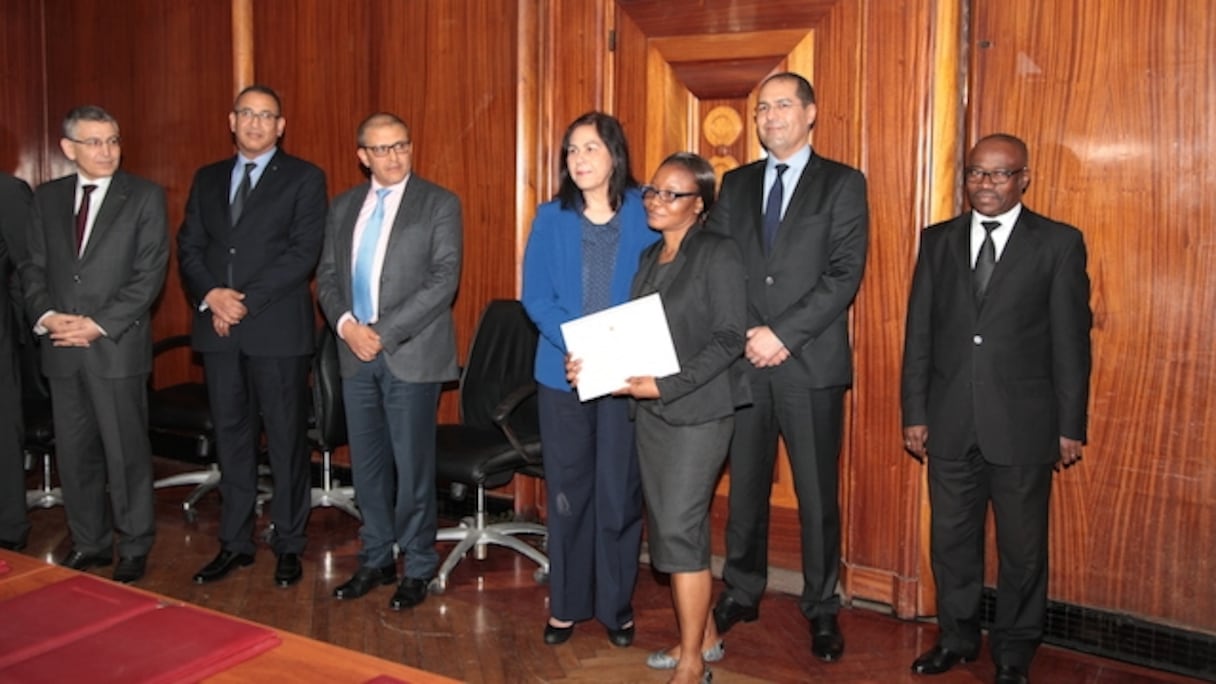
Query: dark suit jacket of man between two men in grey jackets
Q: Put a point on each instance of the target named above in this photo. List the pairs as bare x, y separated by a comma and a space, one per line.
269, 255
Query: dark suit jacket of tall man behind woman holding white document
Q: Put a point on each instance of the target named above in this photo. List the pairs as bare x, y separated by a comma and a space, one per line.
804, 288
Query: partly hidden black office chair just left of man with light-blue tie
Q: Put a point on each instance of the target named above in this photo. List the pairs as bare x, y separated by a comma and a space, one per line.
328, 429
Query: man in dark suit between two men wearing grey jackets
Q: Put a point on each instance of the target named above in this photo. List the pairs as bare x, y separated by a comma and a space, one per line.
247, 250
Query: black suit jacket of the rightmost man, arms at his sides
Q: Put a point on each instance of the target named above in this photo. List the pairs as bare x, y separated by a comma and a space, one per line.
1012, 372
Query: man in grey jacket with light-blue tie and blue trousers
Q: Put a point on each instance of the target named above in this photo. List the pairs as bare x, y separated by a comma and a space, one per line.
387, 279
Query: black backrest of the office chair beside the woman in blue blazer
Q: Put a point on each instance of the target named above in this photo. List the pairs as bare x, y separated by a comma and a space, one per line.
500, 361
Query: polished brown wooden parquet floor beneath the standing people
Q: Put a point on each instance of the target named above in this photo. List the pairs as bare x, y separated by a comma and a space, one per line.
487, 627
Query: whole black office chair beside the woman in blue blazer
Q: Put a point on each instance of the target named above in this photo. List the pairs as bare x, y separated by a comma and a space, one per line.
498, 436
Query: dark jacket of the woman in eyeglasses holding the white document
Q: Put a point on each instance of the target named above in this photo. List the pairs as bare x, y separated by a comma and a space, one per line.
707, 315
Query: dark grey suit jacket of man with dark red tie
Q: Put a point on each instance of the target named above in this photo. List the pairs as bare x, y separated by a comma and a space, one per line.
115, 282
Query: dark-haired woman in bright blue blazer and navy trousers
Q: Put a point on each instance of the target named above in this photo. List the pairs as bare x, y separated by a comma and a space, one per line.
581, 259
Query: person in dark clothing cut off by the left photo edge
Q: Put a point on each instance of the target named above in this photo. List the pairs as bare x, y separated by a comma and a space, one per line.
14, 216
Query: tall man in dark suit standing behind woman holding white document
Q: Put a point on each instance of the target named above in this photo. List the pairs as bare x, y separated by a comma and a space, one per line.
802, 225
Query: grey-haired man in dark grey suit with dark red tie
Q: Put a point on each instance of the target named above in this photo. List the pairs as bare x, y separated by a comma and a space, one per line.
98, 253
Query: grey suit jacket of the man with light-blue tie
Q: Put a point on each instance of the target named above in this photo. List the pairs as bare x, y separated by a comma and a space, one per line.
418, 287
